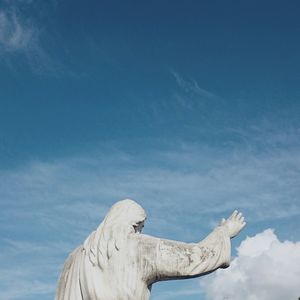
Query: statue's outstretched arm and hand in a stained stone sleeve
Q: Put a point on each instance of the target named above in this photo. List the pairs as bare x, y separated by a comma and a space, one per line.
176, 260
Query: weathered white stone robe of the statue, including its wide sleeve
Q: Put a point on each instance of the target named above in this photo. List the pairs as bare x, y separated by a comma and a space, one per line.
140, 262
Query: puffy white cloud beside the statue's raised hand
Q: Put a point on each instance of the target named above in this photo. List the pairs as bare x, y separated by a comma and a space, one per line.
265, 268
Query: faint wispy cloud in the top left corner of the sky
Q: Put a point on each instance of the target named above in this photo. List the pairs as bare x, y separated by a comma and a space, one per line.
20, 36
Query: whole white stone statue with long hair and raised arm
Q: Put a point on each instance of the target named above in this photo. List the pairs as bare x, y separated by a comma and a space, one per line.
117, 262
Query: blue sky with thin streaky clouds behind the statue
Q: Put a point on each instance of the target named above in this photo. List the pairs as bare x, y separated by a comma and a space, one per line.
190, 108
